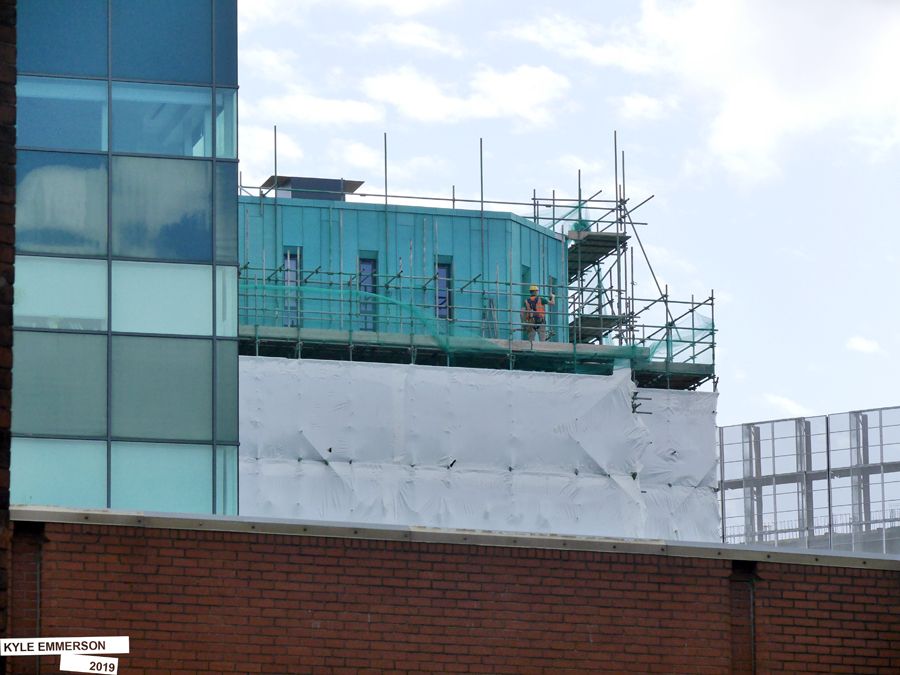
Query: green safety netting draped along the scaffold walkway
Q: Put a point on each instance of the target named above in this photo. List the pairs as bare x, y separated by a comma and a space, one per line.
478, 322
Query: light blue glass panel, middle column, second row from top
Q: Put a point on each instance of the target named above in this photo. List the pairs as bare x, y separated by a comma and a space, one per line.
162, 120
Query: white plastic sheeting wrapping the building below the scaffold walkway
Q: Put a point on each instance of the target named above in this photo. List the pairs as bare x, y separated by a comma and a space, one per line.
450, 447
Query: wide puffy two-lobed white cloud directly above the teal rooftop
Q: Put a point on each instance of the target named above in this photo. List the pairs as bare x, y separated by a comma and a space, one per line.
523, 94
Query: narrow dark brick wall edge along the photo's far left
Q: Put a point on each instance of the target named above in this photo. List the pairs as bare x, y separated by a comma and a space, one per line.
7, 243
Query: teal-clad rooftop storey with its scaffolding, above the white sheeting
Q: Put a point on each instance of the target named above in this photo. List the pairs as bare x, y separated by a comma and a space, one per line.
443, 281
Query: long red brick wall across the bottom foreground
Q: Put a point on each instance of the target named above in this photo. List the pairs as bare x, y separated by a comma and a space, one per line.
195, 601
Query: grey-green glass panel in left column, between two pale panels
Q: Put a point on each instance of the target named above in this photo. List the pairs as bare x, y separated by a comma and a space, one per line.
60, 384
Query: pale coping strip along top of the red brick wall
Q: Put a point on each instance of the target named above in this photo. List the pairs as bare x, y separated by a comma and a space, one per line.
302, 528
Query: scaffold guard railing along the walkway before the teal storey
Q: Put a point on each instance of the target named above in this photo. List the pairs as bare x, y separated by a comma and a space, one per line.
491, 311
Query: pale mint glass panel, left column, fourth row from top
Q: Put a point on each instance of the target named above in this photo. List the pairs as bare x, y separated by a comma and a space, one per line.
60, 293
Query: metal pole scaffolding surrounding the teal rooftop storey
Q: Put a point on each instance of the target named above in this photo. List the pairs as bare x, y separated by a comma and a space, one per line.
596, 324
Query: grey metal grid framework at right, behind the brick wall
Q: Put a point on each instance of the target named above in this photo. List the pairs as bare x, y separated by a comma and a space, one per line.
825, 482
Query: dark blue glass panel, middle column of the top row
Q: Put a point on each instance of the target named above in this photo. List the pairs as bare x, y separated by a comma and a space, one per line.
164, 40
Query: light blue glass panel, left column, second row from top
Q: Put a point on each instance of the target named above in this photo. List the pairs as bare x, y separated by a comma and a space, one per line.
61, 114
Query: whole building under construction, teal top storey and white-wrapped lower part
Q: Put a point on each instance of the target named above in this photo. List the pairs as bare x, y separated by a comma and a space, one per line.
596, 422
